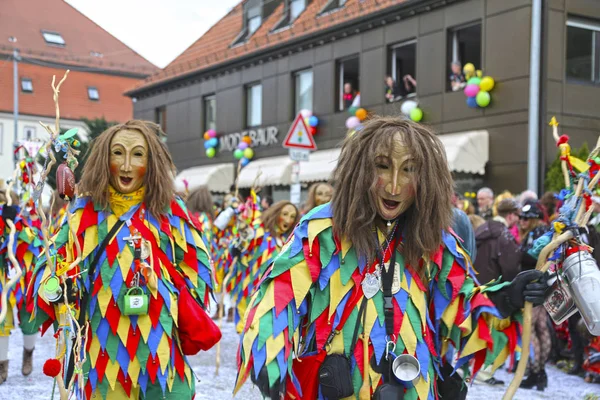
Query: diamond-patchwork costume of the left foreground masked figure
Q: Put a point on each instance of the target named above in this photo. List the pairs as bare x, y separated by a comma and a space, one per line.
132, 356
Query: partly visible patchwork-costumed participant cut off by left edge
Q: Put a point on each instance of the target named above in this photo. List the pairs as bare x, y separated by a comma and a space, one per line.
26, 249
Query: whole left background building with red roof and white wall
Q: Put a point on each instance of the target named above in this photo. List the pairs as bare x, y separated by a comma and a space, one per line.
47, 37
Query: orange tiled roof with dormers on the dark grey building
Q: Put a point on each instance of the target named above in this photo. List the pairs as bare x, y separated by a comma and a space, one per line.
214, 47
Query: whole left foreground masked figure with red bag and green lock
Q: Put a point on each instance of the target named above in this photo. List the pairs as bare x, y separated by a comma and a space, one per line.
142, 279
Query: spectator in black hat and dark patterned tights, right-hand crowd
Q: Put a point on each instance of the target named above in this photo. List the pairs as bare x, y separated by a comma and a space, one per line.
531, 227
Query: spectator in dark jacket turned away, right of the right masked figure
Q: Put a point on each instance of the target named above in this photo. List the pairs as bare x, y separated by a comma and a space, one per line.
498, 256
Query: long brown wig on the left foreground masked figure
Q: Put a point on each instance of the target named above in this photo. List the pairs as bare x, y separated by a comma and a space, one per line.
158, 181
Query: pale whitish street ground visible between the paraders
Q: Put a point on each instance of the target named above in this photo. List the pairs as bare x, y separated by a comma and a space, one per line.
37, 386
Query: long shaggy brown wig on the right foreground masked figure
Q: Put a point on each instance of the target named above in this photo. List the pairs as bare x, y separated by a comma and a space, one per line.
353, 202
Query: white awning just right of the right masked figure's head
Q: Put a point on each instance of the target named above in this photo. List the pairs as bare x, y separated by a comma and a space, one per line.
467, 151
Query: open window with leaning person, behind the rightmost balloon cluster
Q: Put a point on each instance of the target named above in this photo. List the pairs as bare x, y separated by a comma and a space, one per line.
464, 46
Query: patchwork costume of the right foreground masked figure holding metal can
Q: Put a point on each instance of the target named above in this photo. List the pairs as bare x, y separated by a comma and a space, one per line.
316, 282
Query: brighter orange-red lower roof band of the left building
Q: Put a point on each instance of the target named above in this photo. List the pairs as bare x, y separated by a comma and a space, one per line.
74, 101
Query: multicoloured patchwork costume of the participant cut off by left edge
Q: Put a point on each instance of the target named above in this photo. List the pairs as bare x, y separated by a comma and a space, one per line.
27, 248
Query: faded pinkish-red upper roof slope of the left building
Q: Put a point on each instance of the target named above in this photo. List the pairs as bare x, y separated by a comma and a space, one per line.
25, 20
